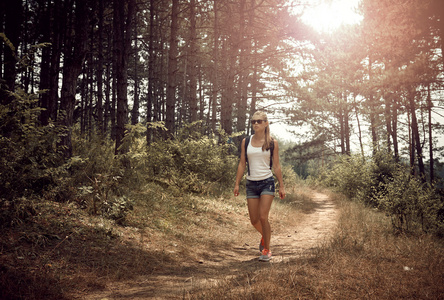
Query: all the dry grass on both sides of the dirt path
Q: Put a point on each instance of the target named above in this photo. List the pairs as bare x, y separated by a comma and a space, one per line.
61, 252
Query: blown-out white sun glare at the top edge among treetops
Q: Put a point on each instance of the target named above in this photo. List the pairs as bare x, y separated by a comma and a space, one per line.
328, 15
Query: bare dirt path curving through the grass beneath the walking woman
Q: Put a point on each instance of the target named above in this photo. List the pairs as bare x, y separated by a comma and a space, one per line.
288, 243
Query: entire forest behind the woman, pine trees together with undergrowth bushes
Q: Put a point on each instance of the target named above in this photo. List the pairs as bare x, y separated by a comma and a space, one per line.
102, 101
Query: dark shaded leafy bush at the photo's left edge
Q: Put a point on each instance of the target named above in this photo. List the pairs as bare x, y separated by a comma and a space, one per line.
30, 160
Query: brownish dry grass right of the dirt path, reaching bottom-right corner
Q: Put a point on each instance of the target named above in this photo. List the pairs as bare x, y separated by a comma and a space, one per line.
363, 260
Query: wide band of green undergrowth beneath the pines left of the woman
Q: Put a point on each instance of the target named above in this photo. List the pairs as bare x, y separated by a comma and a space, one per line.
106, 184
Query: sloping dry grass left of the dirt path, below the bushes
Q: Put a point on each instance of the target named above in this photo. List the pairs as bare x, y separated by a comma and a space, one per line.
59, 251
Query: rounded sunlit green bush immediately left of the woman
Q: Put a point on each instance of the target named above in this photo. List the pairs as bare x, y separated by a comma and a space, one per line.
191, 163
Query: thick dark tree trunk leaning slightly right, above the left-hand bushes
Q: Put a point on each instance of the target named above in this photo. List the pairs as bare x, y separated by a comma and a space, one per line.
74, 56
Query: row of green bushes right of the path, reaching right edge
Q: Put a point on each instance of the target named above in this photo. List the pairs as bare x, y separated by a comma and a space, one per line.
387, 185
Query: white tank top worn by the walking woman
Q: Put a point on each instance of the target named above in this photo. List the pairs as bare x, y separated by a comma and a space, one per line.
259, 162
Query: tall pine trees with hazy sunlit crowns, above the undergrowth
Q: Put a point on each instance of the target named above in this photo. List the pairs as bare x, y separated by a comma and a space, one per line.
99, 66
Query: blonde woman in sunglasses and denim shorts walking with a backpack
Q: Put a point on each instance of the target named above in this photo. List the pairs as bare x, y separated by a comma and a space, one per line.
260, 182
